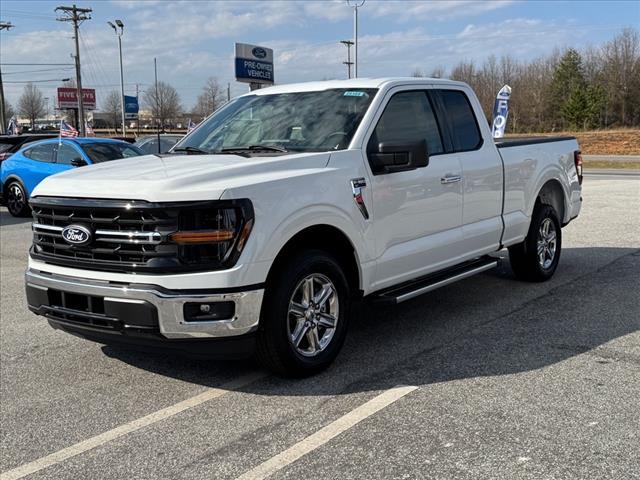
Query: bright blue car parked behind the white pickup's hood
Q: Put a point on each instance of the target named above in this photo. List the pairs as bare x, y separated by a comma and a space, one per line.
26, 168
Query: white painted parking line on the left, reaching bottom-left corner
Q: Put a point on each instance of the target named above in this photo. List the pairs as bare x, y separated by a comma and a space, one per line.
101, 439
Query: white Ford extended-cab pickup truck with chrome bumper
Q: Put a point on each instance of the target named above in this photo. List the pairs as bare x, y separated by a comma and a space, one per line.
264, 225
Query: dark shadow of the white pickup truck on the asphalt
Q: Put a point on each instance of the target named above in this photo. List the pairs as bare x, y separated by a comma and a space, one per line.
489, 325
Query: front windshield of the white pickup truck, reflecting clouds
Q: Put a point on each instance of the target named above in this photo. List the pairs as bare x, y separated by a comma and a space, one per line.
298, 122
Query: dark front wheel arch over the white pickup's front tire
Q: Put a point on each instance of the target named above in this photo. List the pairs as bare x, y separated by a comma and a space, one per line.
324, 237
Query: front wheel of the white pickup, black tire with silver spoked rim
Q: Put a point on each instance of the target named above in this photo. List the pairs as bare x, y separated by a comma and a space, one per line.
287, 317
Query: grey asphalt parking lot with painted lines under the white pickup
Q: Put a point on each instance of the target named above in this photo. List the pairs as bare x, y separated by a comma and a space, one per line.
486, 378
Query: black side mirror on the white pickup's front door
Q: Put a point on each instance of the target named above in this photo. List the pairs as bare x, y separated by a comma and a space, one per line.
398, 157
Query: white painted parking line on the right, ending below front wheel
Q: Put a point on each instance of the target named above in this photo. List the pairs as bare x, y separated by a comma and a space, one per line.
325, 434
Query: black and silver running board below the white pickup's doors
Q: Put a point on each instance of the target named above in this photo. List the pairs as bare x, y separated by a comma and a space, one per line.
413, 288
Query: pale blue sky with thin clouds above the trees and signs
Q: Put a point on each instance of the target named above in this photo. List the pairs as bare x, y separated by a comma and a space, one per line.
194, 40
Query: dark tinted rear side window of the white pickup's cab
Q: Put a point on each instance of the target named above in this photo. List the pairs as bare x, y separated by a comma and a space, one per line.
464, 128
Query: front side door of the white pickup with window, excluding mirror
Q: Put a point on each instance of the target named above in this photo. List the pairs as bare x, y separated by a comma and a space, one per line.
417, 214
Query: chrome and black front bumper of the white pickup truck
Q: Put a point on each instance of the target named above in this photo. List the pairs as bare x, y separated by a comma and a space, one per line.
138, 309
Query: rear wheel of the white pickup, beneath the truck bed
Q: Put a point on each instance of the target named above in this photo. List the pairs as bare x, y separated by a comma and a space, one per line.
527, 262
